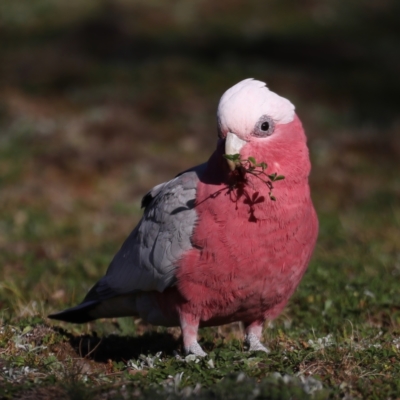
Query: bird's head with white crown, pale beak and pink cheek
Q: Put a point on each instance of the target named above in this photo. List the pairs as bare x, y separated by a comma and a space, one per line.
251, 117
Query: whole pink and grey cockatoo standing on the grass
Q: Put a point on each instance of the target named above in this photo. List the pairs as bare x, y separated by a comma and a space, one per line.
213, 247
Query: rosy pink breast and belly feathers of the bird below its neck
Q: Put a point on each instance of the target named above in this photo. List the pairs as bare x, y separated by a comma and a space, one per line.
242, 270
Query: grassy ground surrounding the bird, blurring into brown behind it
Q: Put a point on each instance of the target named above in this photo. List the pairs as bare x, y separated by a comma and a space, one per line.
96, 108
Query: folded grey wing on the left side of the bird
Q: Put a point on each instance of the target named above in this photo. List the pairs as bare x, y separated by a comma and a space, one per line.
148, 258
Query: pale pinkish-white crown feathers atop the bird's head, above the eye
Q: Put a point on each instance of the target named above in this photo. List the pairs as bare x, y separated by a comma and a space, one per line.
243, 104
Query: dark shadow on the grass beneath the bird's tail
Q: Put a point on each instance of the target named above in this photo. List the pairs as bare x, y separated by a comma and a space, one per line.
122, 348
